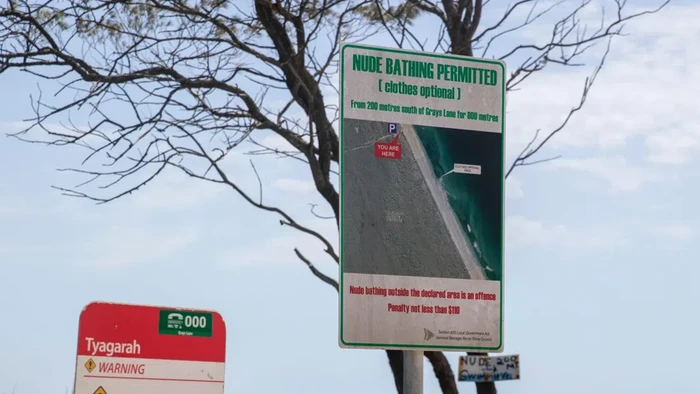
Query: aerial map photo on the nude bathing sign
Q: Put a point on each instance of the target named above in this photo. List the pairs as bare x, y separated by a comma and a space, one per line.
444, 184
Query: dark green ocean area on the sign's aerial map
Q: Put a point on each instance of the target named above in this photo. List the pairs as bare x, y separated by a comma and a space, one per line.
475, 199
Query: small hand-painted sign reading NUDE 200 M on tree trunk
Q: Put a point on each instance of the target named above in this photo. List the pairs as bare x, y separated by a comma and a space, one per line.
489, 369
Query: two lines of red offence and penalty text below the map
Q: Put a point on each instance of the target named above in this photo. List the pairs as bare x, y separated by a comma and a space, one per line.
422, 293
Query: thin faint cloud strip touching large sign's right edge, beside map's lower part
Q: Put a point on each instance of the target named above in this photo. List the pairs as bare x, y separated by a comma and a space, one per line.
522, 232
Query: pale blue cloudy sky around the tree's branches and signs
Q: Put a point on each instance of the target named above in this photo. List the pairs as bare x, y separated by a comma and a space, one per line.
601, 274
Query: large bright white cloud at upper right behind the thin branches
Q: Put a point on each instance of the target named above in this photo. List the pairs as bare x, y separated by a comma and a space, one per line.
648, 89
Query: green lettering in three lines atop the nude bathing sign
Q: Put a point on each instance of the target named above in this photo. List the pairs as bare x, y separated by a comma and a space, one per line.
426, 71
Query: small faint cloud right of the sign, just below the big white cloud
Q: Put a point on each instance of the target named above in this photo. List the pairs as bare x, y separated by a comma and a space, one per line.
616, 171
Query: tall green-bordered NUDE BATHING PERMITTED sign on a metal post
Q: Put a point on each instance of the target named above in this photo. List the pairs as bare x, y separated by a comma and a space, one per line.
421, 246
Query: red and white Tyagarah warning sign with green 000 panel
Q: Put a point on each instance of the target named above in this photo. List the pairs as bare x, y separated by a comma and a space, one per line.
135, 349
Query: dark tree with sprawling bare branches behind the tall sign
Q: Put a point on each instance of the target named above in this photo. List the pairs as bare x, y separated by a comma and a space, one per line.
195, 79
